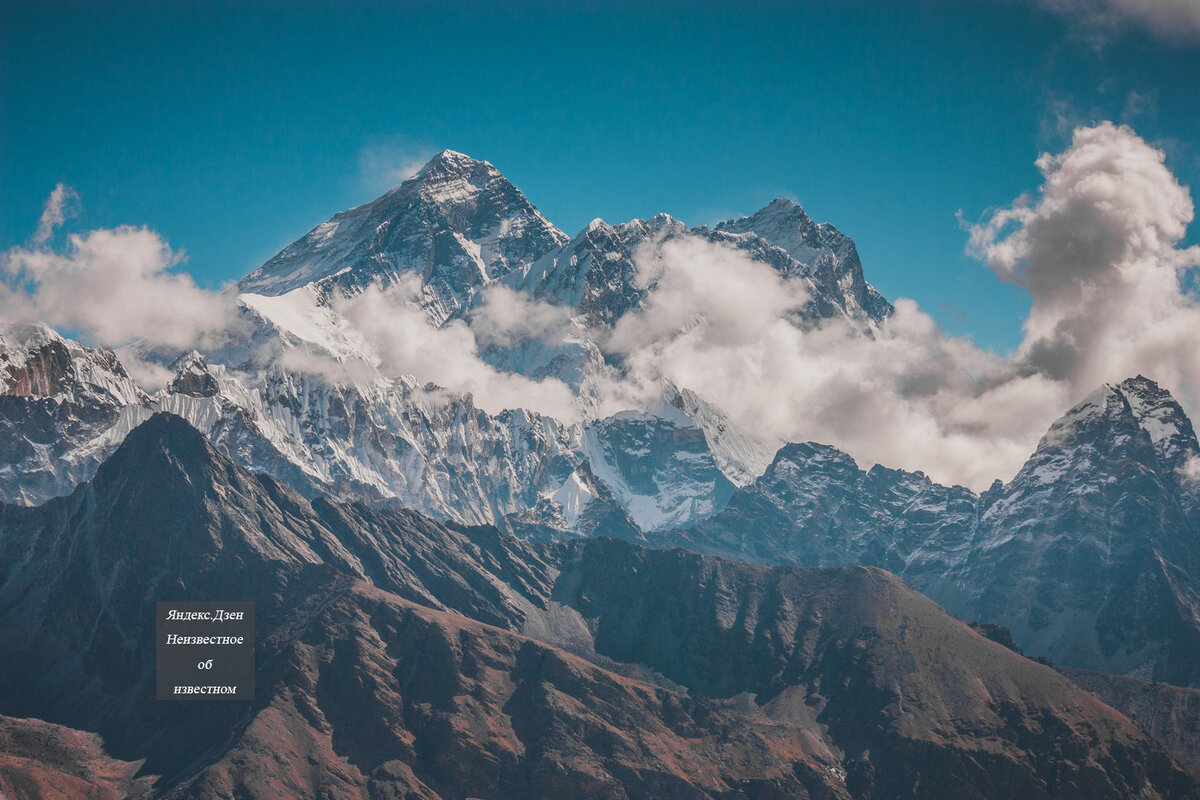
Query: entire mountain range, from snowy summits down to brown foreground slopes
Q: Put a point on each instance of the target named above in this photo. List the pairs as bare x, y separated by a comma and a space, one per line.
459, 601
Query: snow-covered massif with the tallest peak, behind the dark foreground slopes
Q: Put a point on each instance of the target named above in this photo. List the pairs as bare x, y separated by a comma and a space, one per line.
301, 393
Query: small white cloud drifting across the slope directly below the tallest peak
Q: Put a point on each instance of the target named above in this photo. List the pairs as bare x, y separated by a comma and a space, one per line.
407, 345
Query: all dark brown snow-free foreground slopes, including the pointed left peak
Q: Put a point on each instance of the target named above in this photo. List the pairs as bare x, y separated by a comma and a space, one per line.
692, 677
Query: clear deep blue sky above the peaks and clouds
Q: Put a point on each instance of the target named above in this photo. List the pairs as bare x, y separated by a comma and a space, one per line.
232, 129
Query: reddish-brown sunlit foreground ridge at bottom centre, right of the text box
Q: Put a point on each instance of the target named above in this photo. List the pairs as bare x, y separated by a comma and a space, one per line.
393, 700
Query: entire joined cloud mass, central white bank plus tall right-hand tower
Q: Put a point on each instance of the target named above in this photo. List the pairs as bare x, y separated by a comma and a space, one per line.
1099, 249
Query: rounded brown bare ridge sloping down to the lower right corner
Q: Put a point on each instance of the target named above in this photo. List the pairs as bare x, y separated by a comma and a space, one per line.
892, 677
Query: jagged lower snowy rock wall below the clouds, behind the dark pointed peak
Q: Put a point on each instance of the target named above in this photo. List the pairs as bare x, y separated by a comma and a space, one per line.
392, 441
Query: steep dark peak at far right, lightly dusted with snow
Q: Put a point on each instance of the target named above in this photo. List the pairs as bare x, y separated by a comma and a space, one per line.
1089, 556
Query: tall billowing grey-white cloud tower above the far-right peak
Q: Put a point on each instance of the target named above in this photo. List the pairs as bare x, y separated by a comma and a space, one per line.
1099, 250
